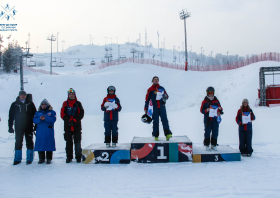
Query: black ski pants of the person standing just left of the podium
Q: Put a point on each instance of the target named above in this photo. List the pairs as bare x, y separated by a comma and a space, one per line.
68, 137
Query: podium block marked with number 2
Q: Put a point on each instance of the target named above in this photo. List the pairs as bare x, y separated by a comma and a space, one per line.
99, 154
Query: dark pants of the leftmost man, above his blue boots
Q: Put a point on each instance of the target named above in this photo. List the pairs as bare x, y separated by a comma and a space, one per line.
19, 134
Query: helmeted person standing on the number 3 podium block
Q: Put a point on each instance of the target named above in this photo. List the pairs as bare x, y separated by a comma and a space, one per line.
210, 123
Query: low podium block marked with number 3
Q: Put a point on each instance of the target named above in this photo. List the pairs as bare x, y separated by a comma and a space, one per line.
223, 153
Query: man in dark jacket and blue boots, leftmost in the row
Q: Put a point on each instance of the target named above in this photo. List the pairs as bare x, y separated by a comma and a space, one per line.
21, 114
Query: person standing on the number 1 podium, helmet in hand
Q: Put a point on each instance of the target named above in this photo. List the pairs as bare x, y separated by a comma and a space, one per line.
159, 109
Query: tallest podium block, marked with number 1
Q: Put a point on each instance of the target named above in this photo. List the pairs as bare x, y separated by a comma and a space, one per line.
147, 150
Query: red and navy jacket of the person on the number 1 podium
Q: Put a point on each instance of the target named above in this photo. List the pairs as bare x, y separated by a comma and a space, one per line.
152, 95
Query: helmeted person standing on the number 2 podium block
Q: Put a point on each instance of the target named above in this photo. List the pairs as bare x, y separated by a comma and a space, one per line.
111, 107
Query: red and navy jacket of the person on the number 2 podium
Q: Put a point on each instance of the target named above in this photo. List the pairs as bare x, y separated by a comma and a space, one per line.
112, 114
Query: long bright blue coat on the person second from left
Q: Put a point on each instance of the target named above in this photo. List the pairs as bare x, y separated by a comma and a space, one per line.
45, 130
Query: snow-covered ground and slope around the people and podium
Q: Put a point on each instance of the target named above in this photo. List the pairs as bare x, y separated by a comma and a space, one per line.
258, 176
